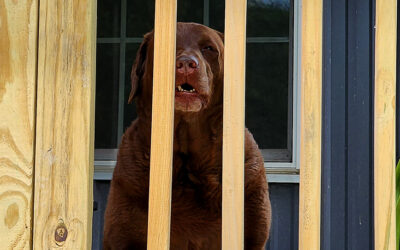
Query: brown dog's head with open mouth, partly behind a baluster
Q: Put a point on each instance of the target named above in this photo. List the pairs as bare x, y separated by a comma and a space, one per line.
199, 69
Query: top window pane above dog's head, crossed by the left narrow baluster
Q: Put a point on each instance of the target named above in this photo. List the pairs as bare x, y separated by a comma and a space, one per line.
140, 15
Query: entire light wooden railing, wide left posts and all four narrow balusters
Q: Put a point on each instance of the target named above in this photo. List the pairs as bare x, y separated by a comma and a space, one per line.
47, 71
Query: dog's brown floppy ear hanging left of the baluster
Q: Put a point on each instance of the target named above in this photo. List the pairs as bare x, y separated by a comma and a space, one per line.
138, 67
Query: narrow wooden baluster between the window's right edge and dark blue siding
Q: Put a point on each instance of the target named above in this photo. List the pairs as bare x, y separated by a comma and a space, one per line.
310, 127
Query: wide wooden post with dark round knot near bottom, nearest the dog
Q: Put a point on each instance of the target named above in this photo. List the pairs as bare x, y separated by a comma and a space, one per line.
63, 197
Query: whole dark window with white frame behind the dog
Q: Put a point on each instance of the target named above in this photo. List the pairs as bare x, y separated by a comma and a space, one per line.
271, 73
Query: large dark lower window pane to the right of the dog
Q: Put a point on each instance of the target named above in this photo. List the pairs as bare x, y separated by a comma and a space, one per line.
267, 93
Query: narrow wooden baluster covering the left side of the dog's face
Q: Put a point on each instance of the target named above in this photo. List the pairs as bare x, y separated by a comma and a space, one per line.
162, 125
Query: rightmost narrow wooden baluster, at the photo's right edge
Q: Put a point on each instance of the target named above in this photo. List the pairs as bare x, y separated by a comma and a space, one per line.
384, 124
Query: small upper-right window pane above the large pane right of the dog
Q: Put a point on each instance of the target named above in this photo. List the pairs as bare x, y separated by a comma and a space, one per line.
268, 18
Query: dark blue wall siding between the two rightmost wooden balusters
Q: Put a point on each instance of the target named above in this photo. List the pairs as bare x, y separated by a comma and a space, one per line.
347, 174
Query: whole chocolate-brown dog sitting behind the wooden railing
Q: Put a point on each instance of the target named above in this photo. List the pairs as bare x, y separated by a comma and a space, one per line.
197, 156
